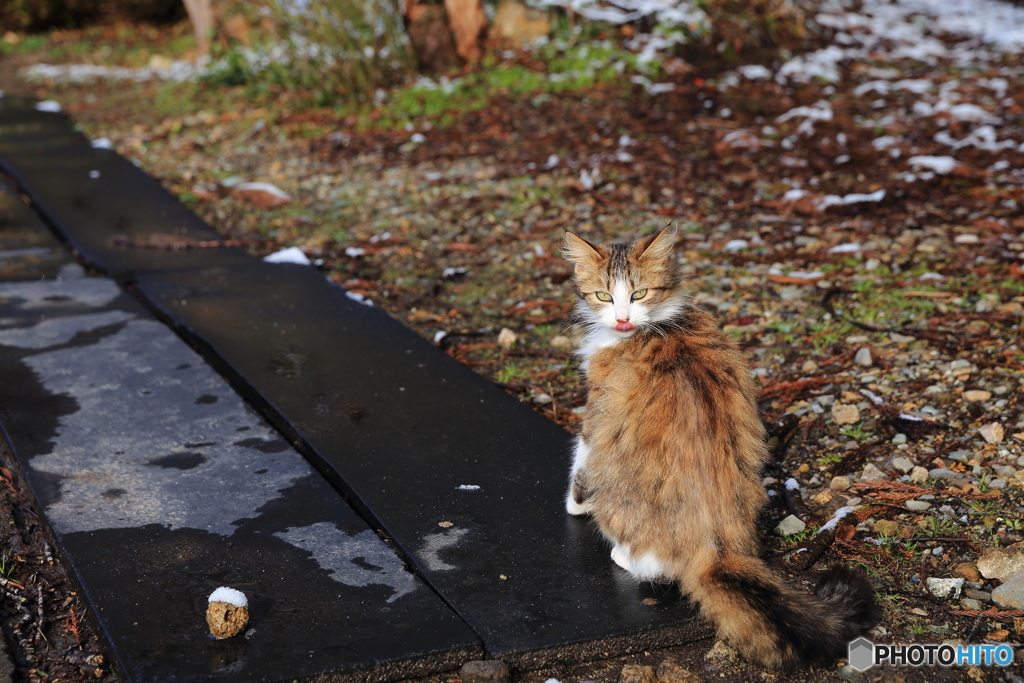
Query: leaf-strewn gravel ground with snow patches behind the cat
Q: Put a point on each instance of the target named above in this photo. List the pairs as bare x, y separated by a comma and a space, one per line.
852, 217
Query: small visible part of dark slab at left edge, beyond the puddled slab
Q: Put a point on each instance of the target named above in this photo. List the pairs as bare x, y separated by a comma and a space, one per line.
28, 249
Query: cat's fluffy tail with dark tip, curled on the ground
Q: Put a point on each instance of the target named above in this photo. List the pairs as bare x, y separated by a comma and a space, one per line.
778, 626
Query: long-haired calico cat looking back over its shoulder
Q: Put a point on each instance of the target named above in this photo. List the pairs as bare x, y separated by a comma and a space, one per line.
670, 455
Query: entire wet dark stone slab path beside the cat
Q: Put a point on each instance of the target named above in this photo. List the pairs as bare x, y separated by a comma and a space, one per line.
464, 482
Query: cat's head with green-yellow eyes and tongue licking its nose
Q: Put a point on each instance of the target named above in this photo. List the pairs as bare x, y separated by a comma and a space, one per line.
628, 286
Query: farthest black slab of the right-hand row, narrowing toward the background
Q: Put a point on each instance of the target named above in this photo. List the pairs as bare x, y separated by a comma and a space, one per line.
98, 200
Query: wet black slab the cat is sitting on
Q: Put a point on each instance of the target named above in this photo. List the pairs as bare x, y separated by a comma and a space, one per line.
467, 481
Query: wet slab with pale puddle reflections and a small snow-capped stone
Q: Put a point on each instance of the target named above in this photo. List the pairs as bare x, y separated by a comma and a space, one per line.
161, 485
